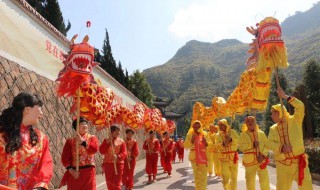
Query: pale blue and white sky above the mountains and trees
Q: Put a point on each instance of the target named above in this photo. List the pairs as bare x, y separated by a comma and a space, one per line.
147, 33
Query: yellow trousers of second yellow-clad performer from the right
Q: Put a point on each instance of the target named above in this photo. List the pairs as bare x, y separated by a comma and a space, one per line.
251, 172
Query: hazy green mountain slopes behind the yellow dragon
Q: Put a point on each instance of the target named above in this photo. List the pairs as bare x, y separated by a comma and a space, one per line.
200, 70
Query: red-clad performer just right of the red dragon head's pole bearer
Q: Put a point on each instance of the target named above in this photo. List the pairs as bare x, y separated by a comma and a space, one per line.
114, 151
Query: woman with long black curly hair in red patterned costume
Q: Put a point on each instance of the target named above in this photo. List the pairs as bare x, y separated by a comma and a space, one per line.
25, 160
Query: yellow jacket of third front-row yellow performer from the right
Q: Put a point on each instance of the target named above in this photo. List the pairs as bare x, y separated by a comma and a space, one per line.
226, 153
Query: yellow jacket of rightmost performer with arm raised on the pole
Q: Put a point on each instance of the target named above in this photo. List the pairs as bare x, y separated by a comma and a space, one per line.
294, 123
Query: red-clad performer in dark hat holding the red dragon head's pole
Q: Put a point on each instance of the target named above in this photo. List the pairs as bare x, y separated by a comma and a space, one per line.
85, 178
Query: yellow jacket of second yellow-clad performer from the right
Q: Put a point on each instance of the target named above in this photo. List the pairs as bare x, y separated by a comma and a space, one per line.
246, 146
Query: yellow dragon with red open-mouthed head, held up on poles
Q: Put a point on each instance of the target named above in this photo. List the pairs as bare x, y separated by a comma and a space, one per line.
268, 52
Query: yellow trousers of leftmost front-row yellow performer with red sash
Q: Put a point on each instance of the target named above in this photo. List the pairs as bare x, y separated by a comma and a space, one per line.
200, 175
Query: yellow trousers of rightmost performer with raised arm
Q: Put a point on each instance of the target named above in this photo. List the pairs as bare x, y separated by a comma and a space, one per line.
286, 175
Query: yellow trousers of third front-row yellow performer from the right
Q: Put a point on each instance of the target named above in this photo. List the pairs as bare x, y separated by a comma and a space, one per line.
229, 172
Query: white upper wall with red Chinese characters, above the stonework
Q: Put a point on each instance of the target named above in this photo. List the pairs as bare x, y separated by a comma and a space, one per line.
26, 40
